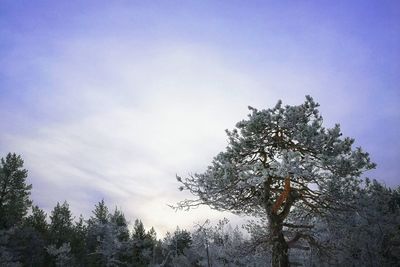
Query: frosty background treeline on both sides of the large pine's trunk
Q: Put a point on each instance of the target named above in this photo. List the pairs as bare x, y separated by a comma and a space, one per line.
368, 235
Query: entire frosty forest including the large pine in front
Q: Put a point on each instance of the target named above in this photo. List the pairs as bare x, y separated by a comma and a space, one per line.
300, 185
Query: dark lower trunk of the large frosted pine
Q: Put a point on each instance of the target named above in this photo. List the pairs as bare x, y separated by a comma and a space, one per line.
280, 256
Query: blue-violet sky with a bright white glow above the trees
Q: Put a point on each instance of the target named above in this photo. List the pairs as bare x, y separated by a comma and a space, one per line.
111, 99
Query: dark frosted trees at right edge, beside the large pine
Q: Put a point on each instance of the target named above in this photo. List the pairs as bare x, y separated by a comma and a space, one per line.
368, 235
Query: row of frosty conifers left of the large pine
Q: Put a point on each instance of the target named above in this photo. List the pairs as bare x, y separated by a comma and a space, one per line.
30, 237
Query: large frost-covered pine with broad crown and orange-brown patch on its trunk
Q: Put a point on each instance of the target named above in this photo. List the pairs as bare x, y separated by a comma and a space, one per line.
279, 160
